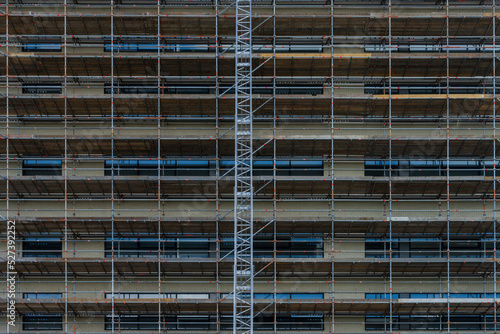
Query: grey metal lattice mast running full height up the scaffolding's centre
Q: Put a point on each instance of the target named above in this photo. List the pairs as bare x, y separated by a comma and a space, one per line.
243, 179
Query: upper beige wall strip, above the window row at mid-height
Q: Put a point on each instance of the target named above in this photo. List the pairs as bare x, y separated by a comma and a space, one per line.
125, 129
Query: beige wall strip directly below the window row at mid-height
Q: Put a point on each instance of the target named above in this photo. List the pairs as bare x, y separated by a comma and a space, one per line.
377, 210
